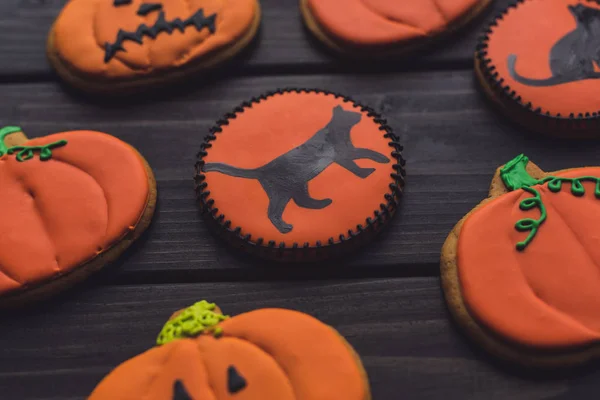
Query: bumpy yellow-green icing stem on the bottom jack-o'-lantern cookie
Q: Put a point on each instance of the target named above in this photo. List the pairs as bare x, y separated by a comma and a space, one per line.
193, 321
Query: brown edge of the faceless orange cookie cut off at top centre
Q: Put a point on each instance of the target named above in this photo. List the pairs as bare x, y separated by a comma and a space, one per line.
398, 49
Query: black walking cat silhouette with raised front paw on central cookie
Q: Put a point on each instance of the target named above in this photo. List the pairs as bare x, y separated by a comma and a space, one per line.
286, 177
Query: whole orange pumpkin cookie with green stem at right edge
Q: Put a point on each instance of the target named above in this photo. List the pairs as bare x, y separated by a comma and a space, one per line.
520, 271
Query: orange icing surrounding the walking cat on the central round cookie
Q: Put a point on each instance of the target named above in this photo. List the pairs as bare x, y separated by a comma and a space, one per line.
275, 126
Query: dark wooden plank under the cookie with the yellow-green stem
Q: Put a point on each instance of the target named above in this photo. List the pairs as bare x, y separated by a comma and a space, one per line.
399, 327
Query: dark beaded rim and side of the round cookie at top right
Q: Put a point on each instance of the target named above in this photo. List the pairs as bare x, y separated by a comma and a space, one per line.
504, 97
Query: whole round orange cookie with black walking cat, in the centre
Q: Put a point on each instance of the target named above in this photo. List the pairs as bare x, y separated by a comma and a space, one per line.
299, 175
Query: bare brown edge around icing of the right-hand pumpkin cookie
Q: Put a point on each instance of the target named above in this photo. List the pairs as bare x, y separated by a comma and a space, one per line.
492, 342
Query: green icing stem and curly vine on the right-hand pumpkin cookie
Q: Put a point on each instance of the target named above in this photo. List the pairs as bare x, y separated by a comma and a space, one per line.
515, 177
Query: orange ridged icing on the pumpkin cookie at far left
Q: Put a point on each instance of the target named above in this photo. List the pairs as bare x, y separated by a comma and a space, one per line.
84, 164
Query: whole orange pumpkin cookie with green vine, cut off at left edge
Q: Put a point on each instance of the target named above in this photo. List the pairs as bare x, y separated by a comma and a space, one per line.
71, 202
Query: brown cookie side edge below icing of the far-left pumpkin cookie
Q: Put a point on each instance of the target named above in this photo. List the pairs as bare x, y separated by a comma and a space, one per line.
35, 293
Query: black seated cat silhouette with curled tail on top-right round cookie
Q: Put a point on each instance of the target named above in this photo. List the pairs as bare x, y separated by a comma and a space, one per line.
574, 56
